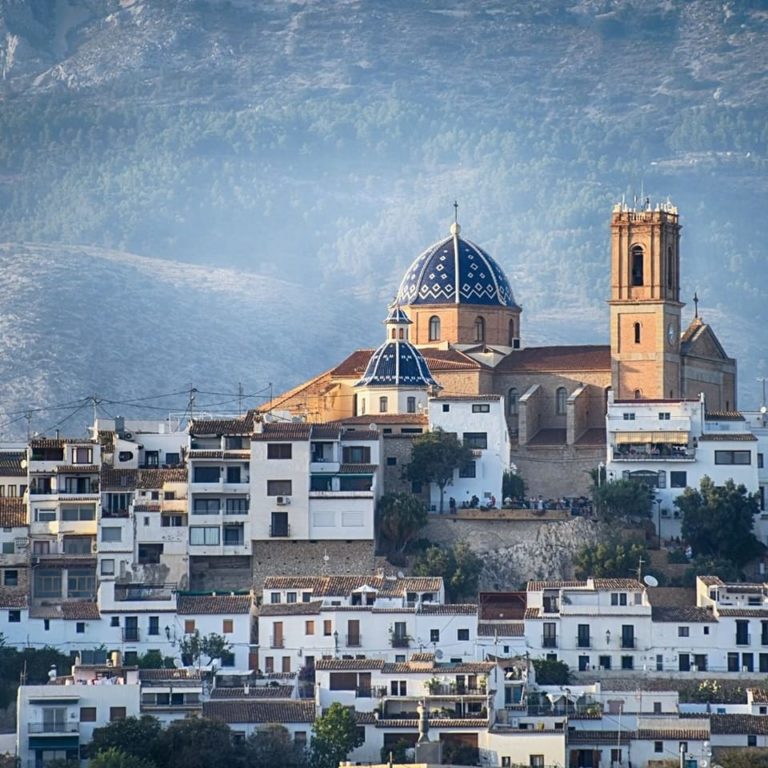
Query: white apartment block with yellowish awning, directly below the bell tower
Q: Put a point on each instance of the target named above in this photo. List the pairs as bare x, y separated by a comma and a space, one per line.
672, 444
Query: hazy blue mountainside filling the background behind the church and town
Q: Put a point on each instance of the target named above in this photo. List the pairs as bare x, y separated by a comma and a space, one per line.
322, 144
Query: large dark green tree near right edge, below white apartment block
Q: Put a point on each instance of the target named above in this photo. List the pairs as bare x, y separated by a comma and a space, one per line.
718, 520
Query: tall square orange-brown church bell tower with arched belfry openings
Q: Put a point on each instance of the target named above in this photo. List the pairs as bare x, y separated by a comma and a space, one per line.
645, 302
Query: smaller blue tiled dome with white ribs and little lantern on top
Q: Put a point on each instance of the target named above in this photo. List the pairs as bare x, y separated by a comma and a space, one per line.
397, 363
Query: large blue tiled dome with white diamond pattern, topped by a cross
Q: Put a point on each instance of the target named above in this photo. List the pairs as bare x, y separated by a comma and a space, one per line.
455, 271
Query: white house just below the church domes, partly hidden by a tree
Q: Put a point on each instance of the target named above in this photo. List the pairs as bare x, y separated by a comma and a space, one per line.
478, 421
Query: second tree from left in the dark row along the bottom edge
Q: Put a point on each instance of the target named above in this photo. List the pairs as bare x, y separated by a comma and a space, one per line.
198, 742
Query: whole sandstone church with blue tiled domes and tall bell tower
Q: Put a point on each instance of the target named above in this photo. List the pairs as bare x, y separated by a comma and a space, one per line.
459, 331
